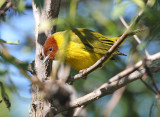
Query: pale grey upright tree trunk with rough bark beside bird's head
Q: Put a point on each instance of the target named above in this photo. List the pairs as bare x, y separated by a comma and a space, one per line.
50, 10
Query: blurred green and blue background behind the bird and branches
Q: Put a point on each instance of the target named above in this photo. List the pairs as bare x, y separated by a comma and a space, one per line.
99, 15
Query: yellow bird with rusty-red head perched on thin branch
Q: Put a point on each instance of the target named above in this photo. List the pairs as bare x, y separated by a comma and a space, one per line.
84, 48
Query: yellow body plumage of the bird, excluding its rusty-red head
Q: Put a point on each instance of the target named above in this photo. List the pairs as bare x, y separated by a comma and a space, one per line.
84, 48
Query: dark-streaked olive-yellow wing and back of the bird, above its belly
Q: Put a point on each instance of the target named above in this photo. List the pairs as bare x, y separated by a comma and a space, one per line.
93, 41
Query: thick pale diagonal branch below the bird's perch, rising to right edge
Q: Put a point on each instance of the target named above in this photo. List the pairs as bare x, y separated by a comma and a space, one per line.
122, 79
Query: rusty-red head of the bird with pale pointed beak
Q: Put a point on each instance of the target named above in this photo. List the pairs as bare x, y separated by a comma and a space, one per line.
50, 49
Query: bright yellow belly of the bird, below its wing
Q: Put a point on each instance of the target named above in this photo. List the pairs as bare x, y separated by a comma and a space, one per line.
79, 58
